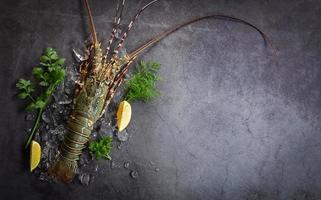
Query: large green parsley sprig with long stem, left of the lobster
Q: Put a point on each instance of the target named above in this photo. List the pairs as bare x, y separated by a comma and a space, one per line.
48, 75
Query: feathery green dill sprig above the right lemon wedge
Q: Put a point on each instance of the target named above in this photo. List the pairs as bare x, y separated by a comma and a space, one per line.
142, 85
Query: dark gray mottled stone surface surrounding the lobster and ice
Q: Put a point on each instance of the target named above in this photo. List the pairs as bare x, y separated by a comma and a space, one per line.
234, 121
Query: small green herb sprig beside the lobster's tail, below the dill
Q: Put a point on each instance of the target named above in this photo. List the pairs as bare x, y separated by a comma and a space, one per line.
101, 147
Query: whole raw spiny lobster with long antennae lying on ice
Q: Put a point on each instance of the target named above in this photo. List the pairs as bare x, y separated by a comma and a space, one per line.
100, 75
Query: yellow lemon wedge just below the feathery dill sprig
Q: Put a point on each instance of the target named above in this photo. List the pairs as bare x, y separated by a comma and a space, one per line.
124, 114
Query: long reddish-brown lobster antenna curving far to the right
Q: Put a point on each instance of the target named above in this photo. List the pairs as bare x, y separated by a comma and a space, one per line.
162, 35
